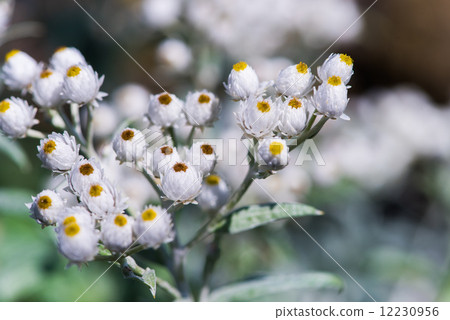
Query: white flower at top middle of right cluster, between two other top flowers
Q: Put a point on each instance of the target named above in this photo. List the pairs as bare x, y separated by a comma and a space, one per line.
295, 80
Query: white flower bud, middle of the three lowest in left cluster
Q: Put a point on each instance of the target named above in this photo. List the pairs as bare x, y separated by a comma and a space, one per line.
117, 232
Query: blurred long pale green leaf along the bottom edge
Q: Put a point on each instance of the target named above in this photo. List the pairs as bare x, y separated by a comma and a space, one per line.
254, 290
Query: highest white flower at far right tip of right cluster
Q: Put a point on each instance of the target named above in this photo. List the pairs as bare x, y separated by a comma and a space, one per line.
336, 65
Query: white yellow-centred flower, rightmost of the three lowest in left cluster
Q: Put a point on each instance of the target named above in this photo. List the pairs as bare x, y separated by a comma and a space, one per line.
153, 227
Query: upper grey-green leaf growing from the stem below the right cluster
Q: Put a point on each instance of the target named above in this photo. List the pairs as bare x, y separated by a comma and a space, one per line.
253, 216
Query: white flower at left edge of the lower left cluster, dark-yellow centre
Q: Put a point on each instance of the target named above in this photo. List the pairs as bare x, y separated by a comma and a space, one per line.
45, 207
